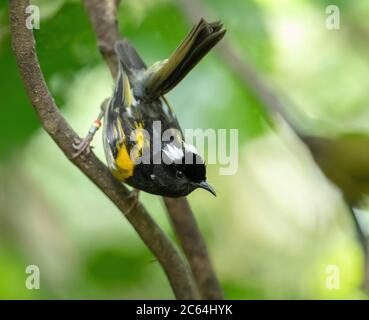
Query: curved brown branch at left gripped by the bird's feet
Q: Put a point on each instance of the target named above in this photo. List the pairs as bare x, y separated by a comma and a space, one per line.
56, 126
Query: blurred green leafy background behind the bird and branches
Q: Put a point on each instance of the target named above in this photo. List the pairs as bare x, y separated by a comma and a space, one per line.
276, 226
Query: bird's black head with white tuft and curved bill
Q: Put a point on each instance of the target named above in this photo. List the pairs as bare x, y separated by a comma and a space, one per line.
181, 171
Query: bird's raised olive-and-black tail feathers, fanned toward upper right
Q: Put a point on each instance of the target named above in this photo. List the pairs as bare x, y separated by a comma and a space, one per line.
199, 41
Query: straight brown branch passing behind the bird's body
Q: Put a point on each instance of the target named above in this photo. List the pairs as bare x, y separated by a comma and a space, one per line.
103, 18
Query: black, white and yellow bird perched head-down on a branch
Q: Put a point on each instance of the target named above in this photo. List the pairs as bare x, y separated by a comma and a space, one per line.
138, 116
